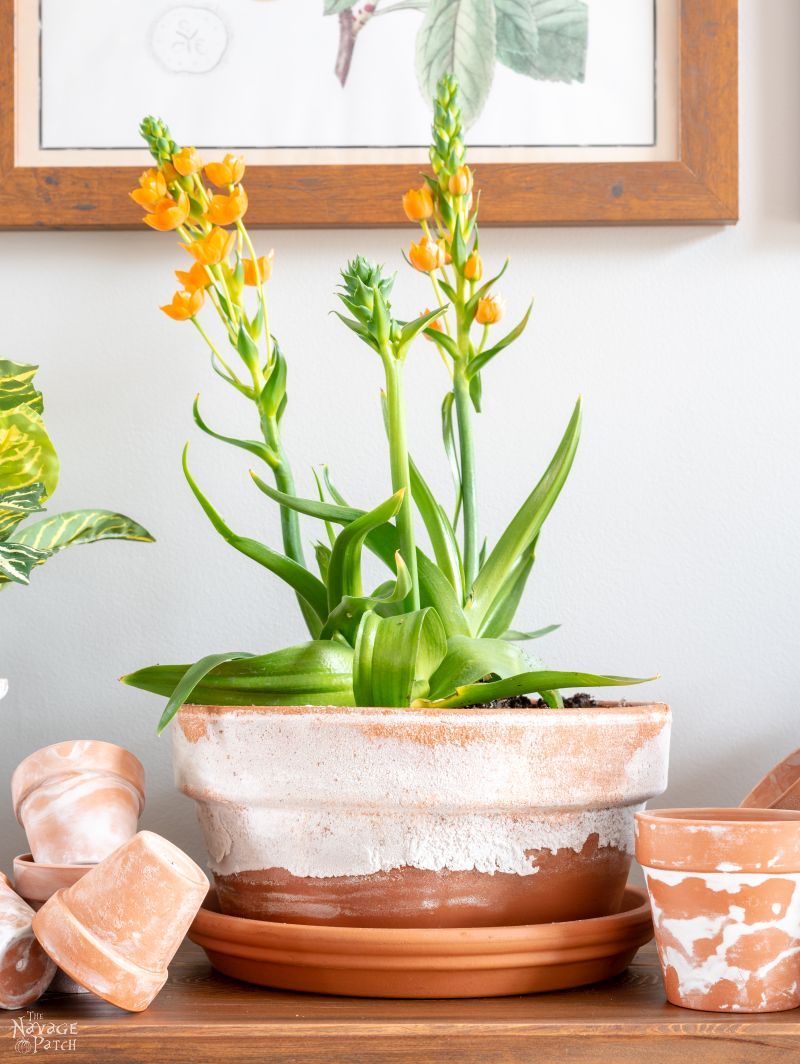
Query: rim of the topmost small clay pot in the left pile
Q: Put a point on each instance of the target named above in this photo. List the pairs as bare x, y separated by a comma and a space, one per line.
46, 763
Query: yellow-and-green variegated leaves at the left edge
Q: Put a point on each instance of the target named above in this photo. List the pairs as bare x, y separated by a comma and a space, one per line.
29, 475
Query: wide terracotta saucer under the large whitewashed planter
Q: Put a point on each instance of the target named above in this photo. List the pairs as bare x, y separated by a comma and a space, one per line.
428, 963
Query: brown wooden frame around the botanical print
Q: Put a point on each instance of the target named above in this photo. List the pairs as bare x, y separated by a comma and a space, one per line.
699, 187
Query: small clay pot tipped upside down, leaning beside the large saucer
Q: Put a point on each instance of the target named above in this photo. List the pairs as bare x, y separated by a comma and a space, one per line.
118, 928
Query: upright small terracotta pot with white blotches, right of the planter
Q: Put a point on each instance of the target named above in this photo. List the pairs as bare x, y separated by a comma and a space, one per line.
725, 889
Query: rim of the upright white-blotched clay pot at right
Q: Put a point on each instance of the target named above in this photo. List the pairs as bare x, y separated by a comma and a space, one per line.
719, 840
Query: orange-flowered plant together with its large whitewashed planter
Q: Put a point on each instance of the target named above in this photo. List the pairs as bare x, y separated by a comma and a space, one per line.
391, 771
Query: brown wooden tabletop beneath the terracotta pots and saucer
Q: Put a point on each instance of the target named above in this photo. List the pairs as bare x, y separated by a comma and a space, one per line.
202, 1017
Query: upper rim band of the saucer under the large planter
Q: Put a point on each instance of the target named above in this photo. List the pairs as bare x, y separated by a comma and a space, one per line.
211, 925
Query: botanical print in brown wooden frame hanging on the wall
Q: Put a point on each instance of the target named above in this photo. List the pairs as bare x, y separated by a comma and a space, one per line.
578, 111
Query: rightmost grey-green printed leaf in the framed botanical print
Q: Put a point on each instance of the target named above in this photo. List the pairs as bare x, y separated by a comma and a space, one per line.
557, 52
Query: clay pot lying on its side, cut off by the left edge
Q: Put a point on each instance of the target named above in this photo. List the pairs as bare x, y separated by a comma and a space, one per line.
26, 971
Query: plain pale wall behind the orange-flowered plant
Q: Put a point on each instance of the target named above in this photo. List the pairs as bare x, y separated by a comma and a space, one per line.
674, 550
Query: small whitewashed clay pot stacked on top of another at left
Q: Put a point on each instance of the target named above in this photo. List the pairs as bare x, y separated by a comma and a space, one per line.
78, 802
